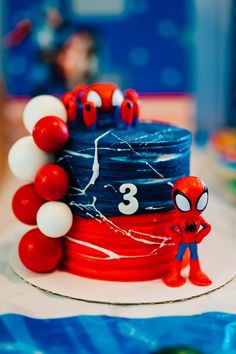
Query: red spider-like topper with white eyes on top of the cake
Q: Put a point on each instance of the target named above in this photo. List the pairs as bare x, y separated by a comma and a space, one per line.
101, 98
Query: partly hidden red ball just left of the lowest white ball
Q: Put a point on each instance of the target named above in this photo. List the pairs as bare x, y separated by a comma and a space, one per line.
26, 203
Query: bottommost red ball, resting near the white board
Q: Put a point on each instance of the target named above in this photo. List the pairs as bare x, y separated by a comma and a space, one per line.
38, 252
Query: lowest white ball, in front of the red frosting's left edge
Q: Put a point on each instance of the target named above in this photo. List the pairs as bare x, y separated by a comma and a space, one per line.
54, 219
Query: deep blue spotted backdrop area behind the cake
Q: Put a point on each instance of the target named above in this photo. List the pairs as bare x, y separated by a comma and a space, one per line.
147, 46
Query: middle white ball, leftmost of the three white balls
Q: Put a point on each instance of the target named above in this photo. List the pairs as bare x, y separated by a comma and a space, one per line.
25, 159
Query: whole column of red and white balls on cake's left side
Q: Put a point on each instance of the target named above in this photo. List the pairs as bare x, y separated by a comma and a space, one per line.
38, 201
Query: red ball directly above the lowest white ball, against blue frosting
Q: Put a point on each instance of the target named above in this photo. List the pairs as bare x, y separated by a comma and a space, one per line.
52, 182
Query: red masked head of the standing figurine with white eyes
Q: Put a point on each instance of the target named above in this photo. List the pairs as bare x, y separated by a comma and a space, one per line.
190, 196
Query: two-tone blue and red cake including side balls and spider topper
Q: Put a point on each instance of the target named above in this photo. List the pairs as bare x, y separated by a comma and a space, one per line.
99, 185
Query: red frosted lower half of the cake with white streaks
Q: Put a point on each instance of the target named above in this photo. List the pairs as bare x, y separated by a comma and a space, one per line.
121, 248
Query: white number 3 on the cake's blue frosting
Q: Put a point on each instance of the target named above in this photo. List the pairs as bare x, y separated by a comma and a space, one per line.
132, 206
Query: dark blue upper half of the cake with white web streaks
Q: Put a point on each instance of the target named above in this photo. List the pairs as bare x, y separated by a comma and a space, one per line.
118, 172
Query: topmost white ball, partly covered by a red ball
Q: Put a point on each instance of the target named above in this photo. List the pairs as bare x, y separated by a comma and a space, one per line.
41, 106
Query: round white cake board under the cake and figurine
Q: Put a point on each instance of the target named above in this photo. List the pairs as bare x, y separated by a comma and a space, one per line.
217, 254
